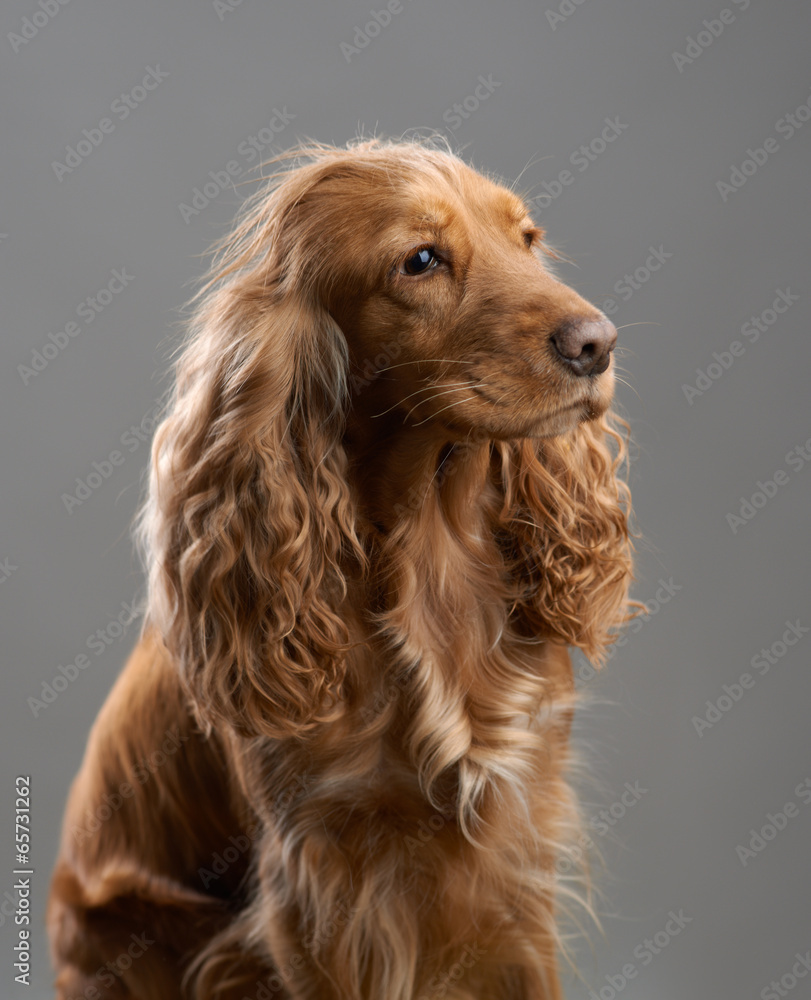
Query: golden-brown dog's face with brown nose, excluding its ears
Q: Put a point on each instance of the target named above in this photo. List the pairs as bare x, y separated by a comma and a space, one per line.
451, 316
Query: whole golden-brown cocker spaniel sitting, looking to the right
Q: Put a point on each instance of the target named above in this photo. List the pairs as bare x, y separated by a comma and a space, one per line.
383, 501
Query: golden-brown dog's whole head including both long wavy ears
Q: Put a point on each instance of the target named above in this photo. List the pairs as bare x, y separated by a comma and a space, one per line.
368, 292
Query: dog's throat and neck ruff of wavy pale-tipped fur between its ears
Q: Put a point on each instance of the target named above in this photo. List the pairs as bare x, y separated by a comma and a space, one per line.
442, 602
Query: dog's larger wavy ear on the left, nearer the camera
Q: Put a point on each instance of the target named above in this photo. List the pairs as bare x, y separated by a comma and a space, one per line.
249, 524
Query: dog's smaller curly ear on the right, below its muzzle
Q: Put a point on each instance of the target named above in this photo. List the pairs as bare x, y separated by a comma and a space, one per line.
565, 522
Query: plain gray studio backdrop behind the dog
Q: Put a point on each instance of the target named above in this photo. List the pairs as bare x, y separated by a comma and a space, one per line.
655, 186
